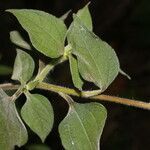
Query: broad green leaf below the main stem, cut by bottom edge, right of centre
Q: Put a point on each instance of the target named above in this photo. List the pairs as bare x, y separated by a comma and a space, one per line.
81, 129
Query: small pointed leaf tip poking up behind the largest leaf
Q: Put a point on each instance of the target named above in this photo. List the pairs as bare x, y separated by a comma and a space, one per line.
85, 16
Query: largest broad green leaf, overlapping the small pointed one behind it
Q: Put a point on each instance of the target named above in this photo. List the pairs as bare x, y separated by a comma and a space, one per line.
97, 61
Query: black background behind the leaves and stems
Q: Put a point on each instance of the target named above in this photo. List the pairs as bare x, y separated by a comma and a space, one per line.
125, 25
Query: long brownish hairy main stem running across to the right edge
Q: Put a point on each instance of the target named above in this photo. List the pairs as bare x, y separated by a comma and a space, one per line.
101, 97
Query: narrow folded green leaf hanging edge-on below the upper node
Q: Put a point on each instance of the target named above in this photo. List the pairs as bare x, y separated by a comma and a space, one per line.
77, 81
